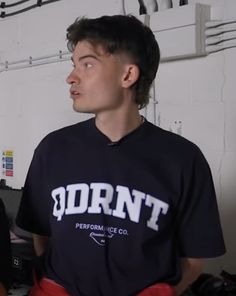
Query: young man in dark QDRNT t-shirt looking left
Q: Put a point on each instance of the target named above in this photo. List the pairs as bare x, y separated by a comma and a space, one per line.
116, 204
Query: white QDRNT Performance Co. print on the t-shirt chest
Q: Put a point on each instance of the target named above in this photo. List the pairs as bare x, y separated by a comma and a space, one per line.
96, 198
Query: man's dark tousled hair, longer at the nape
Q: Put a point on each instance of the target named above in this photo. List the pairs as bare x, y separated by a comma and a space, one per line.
122, 34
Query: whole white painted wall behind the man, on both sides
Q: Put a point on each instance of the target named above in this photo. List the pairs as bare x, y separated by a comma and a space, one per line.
195, 97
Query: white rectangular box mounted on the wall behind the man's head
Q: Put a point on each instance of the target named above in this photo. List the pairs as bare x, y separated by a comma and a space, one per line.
180, 31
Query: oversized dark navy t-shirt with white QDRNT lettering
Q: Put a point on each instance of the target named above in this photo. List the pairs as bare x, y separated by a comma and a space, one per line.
119, 215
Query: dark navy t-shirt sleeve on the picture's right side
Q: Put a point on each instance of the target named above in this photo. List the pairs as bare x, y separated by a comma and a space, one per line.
199, 230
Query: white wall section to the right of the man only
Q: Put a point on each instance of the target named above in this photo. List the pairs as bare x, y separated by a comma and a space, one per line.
200, 93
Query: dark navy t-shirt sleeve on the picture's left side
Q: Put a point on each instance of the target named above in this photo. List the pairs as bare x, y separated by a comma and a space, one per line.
33, 214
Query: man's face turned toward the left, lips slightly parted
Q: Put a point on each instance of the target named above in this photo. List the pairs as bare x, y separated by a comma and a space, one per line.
96, 79
